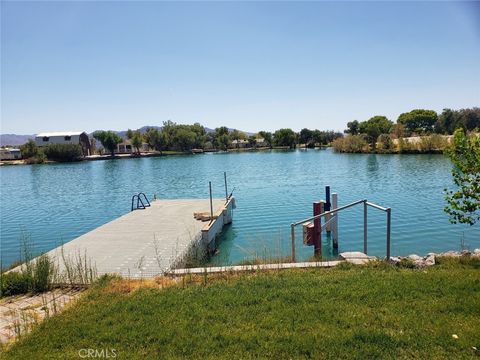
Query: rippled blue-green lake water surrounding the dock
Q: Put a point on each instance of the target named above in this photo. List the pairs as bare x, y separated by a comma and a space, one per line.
55, 203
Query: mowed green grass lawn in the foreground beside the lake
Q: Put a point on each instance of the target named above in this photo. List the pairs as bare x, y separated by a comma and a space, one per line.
376, 311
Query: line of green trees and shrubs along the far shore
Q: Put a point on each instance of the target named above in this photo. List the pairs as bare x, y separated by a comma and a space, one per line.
417, 131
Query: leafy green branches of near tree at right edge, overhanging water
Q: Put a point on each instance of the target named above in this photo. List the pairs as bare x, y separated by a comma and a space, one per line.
463, 203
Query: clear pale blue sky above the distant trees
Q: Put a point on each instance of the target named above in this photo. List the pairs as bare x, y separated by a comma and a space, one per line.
251, 65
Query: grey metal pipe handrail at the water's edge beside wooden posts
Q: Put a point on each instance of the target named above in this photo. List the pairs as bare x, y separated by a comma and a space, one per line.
365, 225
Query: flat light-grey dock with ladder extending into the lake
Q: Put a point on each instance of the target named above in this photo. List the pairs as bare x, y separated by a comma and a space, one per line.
148, 242
